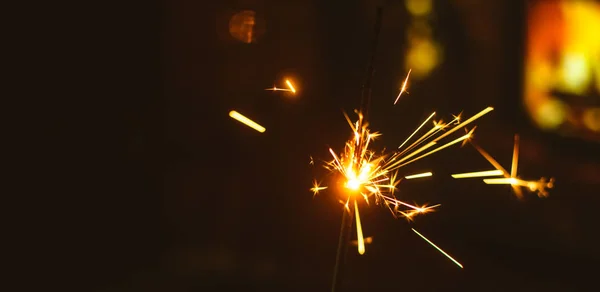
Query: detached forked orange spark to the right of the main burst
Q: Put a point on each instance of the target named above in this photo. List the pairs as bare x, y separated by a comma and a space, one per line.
540, 186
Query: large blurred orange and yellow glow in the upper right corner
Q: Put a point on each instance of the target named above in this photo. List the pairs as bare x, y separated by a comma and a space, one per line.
562, 60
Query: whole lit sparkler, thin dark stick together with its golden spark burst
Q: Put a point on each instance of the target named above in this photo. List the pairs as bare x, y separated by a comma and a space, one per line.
372, 177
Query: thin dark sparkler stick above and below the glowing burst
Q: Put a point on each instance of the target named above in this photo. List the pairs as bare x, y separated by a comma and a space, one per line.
347, 217
